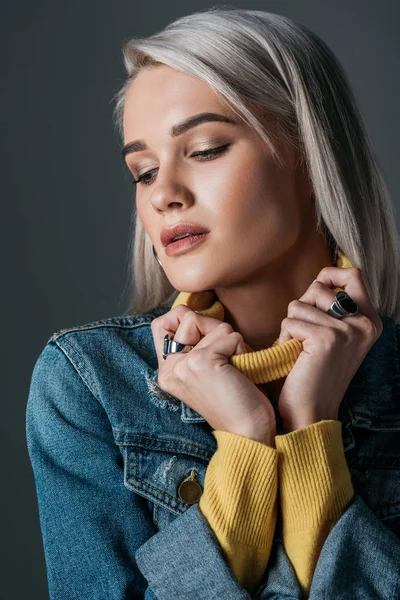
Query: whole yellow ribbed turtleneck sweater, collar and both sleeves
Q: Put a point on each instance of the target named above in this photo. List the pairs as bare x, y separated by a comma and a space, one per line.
239, 499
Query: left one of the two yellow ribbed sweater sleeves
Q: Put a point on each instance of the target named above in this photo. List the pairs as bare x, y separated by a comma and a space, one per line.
239, 501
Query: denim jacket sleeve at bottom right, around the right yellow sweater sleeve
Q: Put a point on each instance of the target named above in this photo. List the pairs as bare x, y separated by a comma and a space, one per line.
359, 560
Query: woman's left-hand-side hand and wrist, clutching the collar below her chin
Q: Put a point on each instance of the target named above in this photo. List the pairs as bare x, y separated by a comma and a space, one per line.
205, 380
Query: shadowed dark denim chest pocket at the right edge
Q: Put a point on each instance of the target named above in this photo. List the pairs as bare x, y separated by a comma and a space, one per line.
374, 464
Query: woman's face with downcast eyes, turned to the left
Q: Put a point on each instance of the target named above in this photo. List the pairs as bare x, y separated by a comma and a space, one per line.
255, 210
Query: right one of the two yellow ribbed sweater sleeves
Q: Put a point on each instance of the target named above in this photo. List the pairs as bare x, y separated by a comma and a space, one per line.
315, 490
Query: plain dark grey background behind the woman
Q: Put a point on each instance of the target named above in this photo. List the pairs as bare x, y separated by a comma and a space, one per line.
66, 198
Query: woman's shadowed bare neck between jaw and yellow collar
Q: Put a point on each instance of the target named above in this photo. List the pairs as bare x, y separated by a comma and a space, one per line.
257, 307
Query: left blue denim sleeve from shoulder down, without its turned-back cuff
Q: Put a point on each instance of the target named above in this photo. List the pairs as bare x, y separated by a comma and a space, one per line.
91, 524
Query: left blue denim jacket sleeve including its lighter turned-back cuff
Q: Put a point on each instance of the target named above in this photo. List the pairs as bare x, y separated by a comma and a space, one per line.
92, 526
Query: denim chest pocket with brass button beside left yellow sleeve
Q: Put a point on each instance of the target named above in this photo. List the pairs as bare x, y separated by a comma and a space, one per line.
172, 479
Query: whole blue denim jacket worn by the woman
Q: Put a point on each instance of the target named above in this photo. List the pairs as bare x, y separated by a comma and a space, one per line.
109, 449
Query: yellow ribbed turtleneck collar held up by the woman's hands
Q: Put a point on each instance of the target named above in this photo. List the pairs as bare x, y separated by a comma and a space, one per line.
260, 366
